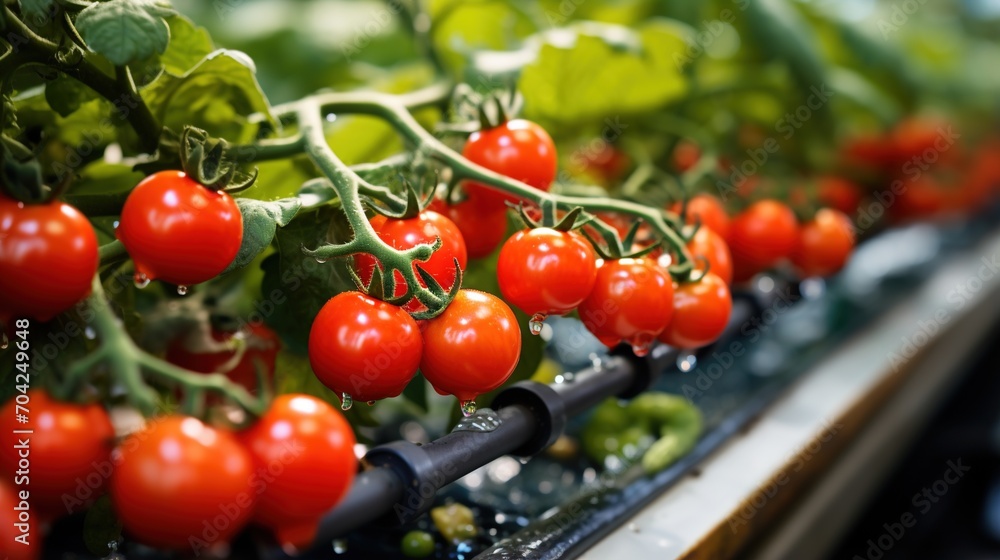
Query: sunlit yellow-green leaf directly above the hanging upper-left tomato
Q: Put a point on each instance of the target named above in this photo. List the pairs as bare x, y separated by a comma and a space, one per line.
215, 95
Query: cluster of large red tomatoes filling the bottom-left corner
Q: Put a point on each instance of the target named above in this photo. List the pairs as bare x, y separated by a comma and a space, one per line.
179, 483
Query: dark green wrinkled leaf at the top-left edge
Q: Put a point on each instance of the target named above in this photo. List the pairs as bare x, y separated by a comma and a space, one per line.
125, 31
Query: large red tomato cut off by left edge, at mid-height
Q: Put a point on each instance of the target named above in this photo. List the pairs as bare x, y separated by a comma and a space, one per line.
48, 257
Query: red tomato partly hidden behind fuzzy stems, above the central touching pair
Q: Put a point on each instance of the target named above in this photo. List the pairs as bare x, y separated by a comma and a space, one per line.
408, 233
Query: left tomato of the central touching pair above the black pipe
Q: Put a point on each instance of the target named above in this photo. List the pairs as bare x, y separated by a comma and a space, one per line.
364, 347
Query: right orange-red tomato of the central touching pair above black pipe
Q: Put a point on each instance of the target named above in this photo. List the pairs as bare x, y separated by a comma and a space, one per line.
471, 348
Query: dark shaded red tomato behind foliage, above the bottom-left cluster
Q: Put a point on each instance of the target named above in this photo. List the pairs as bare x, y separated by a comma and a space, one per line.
261, 346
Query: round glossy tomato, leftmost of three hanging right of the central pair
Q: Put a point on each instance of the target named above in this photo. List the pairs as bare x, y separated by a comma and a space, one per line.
546, 271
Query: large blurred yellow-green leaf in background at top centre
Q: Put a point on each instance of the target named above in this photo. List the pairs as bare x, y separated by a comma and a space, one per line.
595, 80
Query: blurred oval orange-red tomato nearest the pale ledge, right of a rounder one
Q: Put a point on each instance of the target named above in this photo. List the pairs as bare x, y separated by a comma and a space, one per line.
824, 243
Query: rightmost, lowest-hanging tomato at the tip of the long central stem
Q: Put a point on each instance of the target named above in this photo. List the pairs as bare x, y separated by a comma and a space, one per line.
701, 313
